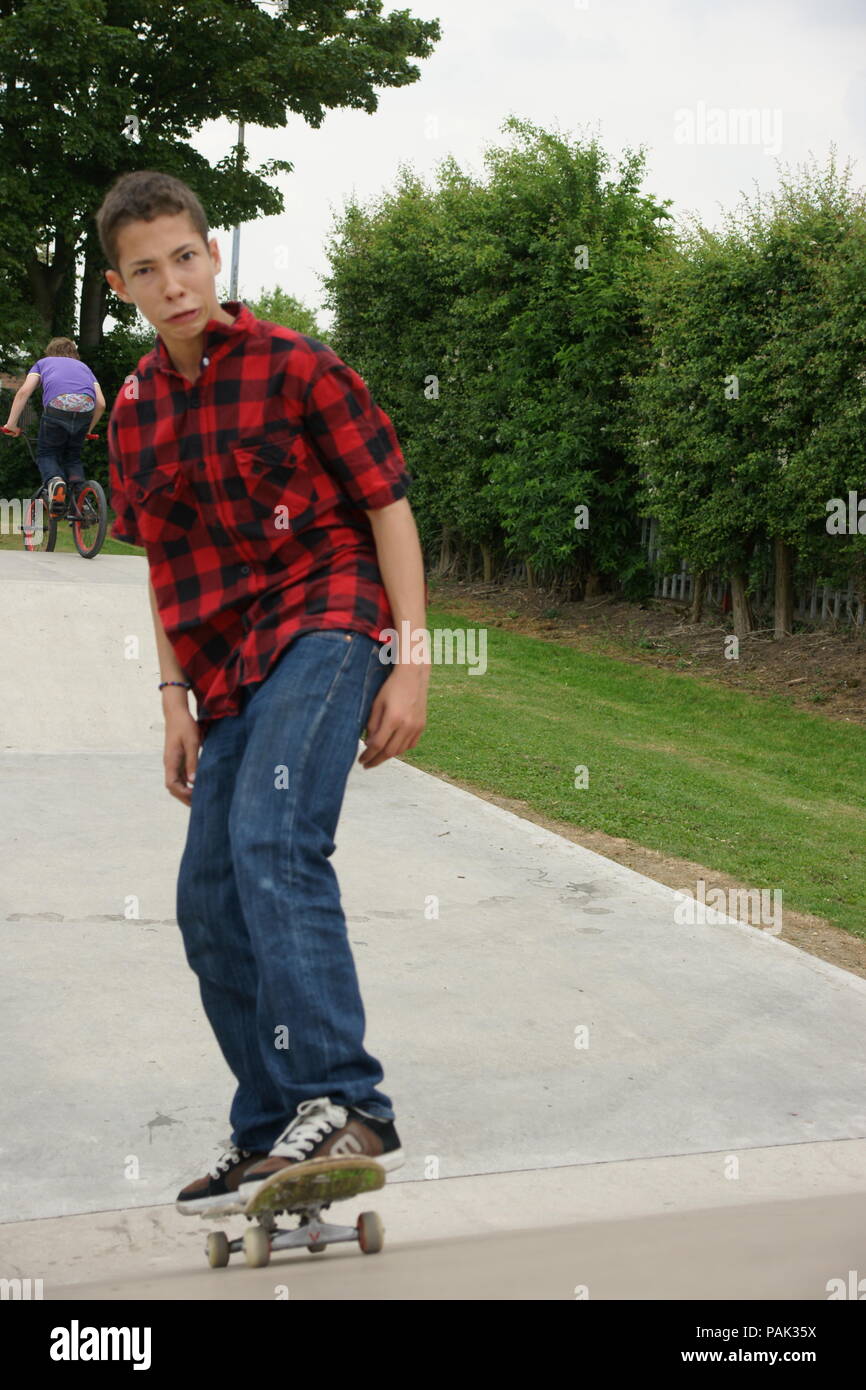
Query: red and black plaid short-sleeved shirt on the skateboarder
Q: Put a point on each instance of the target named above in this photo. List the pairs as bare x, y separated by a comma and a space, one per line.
250, 491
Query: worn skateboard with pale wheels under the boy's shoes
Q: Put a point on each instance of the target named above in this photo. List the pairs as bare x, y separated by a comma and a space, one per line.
304, 1191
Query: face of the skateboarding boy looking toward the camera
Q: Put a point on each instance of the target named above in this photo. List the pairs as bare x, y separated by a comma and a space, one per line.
169, 272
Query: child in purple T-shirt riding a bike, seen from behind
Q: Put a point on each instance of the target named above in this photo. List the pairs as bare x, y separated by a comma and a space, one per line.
73, 404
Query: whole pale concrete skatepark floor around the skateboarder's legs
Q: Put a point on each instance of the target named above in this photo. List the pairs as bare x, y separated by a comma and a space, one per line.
707, 1045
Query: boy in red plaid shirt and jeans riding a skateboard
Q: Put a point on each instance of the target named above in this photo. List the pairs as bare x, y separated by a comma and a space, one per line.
269, 493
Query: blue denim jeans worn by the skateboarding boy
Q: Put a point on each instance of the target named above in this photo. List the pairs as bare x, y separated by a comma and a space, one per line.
259, 903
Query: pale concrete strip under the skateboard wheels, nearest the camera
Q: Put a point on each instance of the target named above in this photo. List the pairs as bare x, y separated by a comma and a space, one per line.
667, 1228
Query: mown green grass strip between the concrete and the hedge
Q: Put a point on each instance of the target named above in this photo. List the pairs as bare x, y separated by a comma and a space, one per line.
742, 785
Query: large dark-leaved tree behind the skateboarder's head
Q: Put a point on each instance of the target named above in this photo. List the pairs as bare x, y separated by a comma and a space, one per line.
95, 88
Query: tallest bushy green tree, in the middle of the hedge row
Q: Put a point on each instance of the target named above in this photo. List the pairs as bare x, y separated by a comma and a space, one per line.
561, 251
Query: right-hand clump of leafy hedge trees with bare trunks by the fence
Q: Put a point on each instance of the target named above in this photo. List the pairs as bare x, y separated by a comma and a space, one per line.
750, 402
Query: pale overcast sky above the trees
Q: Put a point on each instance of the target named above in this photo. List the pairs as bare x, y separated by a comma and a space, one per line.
668, 74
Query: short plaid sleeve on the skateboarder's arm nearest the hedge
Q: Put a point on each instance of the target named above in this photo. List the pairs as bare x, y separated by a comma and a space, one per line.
352, 436
